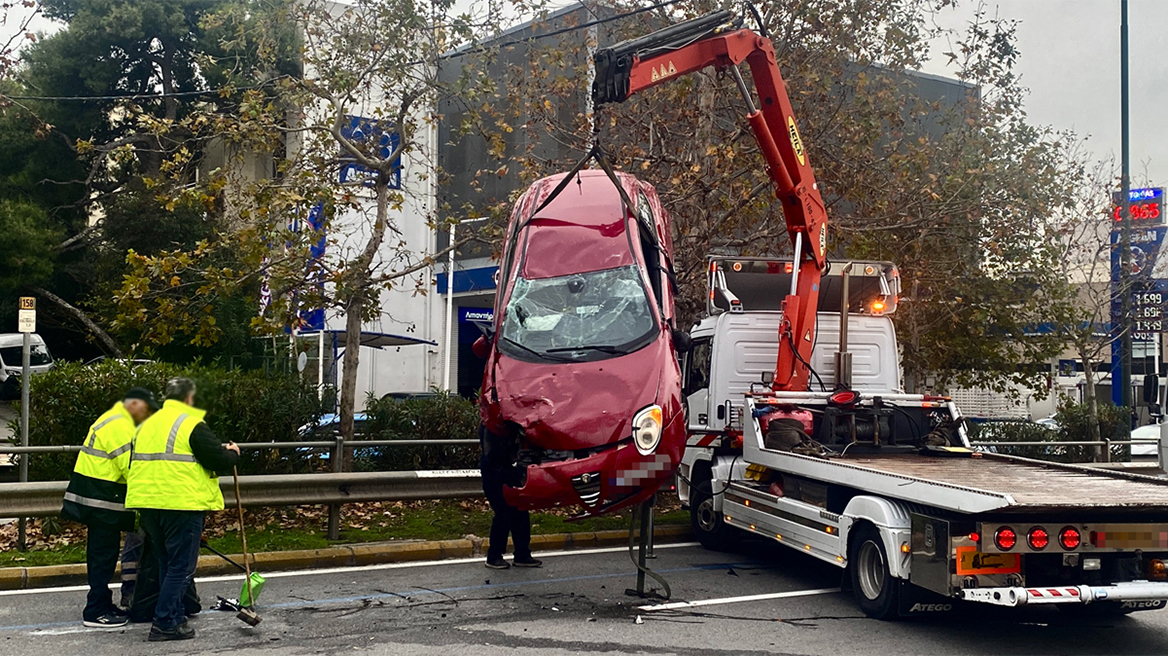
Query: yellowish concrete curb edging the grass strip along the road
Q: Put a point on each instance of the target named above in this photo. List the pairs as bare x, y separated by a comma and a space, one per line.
344, 556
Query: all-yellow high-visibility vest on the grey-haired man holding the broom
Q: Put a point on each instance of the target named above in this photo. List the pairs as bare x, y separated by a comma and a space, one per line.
164, 473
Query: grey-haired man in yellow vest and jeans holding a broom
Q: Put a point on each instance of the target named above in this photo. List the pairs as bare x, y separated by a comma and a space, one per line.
173, 483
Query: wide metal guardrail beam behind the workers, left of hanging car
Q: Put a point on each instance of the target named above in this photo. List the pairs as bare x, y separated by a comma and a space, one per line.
44, 499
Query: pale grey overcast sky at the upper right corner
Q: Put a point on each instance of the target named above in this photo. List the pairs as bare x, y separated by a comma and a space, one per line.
1070, 62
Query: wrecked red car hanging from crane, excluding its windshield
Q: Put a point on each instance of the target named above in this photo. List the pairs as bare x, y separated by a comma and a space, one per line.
586, 407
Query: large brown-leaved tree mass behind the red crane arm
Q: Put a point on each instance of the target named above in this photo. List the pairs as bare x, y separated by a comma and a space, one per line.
957, 191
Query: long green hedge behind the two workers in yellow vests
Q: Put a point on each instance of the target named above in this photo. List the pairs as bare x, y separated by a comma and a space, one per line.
244, 406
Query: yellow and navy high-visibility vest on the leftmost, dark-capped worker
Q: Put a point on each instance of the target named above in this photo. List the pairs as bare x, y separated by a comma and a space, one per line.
98, 487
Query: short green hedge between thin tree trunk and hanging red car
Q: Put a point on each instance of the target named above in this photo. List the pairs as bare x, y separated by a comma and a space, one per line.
442, 417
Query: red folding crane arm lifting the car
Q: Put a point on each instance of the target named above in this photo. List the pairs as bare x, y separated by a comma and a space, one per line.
718, 40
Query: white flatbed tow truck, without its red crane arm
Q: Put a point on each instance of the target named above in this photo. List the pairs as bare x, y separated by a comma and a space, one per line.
884, 484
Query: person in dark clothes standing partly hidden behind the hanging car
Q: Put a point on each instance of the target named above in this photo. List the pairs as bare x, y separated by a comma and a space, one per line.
499, 470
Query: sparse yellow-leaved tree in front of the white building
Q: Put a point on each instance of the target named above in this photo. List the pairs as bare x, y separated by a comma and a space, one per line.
338, 129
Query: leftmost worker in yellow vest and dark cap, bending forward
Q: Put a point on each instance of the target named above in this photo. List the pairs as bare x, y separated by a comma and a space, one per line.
96, 498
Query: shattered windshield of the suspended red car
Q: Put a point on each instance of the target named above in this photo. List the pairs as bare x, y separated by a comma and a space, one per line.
579, 317
